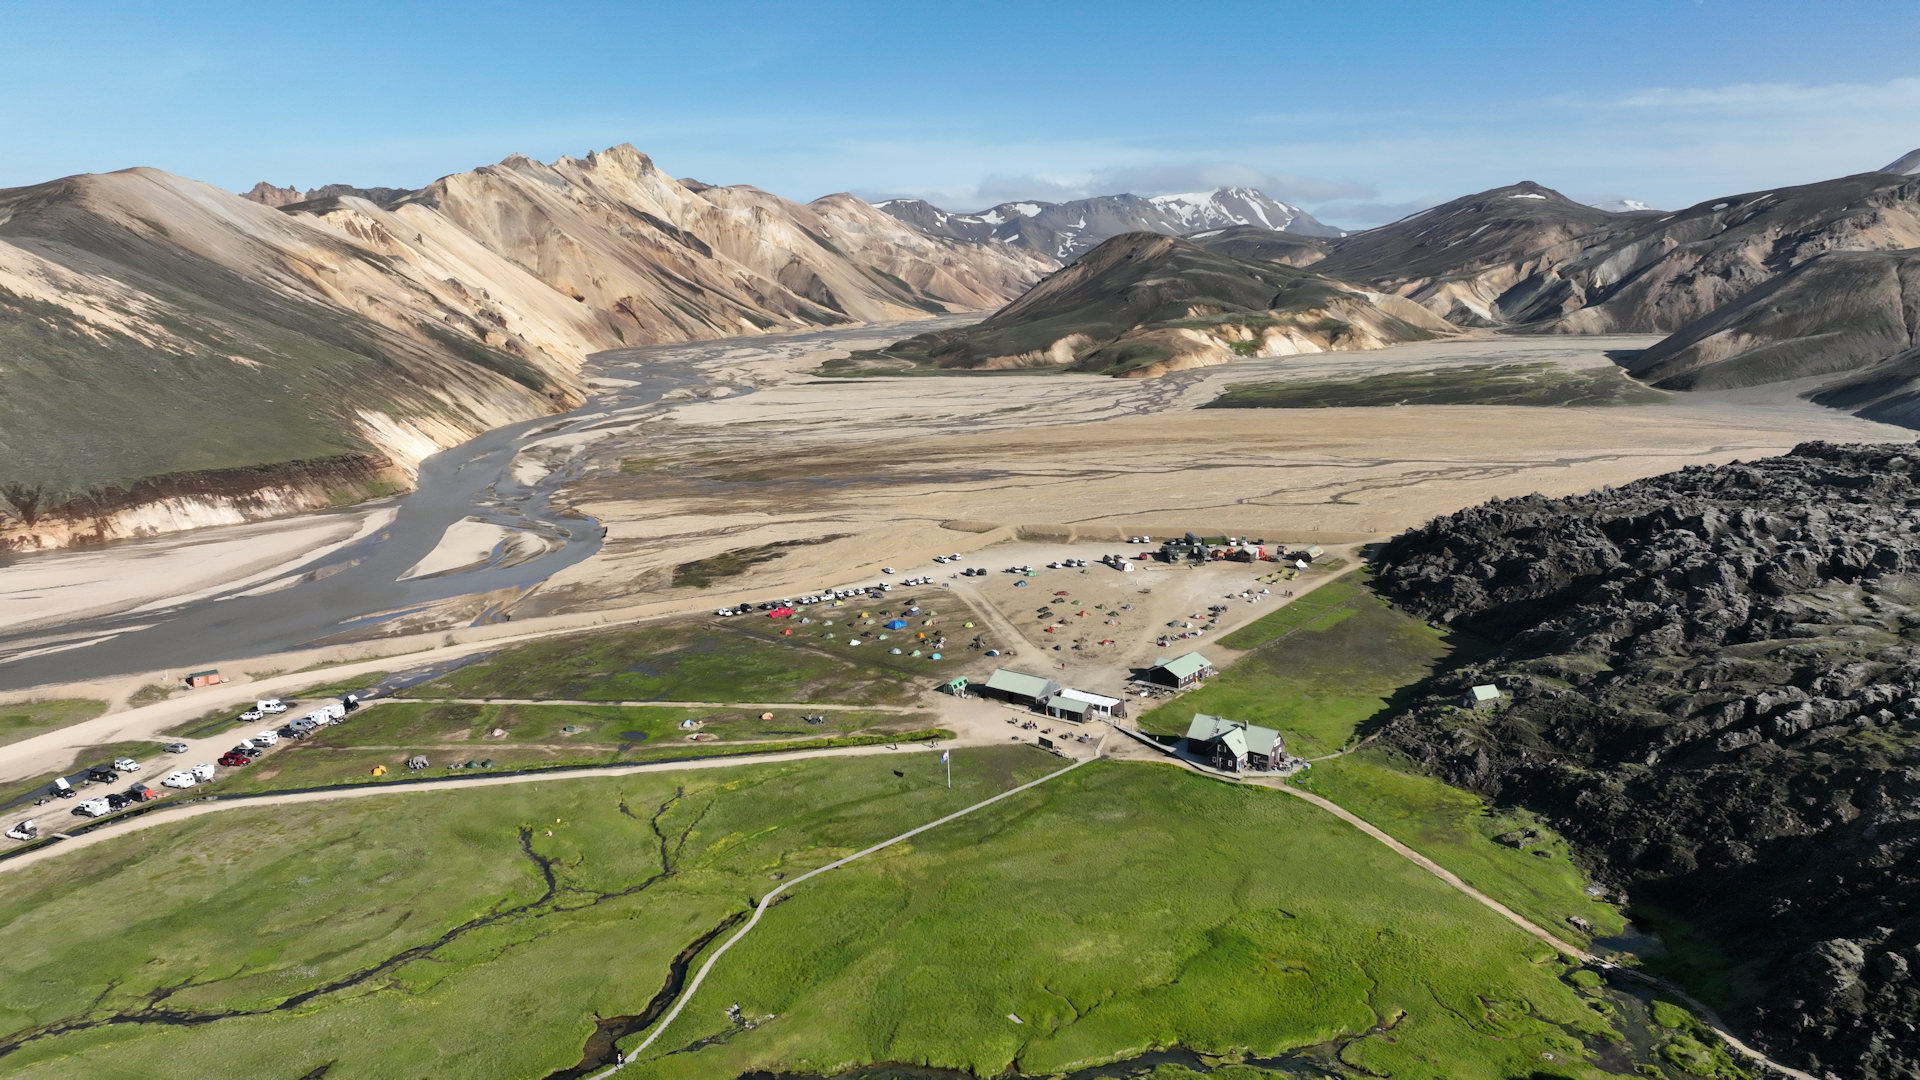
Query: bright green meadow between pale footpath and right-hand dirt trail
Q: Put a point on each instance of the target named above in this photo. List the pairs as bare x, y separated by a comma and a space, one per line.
1132, 908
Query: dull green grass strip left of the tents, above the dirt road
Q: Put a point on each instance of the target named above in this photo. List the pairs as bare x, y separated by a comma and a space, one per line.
694, 662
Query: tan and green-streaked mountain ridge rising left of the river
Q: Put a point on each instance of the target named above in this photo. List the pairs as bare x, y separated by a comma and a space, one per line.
178, 355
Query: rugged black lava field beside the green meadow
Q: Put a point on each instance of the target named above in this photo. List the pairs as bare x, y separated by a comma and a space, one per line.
1712, 685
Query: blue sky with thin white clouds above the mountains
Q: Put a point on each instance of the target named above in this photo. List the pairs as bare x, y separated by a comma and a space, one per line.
1362, 114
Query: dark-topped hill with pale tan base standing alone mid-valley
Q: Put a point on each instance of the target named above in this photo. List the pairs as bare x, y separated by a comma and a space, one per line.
1145, 305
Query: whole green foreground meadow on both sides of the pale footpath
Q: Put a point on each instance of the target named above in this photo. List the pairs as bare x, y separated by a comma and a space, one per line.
481, 933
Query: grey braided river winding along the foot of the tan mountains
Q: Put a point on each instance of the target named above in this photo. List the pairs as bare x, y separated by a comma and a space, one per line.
360, 583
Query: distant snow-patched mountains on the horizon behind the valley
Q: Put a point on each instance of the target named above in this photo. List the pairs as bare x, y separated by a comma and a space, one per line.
1068, 230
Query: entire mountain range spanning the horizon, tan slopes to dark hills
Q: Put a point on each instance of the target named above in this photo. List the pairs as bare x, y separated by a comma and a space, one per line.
237, 356
